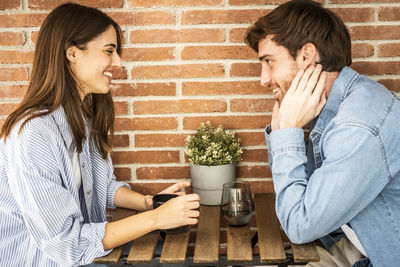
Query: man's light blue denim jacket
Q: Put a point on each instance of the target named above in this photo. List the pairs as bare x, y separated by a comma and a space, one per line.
349, 173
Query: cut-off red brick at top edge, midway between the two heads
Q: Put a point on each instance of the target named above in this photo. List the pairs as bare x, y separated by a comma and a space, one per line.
173, 3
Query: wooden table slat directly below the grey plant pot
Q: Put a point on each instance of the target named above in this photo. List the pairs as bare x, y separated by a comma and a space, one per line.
207, 239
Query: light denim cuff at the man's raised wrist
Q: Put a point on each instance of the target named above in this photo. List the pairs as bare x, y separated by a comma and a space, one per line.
286, 140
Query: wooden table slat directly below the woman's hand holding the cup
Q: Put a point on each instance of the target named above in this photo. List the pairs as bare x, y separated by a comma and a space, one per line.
175, 246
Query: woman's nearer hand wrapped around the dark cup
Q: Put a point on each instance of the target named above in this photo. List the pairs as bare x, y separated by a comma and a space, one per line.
182, 210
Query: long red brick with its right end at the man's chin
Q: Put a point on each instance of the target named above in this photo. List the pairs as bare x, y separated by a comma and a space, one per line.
224, 88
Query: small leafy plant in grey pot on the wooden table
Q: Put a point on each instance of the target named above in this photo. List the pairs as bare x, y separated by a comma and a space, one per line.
213, 153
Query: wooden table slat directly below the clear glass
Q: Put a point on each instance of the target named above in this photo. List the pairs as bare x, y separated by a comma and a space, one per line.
239, 244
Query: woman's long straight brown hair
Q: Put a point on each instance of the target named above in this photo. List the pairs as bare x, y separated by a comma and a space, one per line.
52, 81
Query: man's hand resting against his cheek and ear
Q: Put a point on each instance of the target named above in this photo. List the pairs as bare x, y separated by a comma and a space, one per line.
305, 98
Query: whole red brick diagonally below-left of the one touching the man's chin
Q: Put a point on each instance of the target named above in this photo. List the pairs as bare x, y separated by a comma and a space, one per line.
174, 106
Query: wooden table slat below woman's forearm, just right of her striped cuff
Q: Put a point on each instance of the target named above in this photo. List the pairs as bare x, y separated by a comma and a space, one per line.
142, 249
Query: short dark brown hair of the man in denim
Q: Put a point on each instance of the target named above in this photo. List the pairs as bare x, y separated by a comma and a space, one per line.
298, 22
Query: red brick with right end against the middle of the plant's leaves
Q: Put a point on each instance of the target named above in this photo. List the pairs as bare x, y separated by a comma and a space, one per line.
159, 140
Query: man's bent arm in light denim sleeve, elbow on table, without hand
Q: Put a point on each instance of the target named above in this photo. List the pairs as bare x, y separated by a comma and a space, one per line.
337, 191
